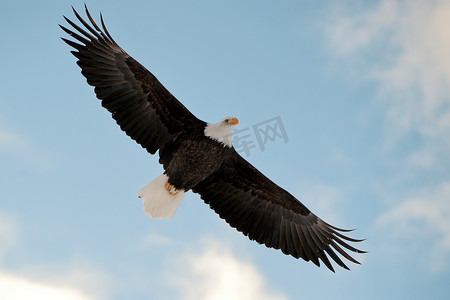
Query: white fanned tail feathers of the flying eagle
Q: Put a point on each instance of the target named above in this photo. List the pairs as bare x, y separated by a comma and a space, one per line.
157, 201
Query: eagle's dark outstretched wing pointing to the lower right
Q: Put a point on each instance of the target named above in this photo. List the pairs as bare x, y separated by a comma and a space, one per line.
266, 213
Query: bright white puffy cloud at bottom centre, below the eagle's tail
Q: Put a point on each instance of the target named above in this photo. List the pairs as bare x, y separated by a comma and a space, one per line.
216, 273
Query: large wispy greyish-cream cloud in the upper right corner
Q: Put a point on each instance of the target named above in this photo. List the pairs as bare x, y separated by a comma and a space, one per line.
403, 46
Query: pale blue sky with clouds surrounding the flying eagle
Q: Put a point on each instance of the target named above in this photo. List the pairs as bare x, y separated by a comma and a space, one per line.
362, 91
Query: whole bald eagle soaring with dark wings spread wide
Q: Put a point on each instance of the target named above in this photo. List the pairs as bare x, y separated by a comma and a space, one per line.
198, 156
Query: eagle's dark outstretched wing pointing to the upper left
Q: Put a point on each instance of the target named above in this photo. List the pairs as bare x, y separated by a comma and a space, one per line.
139, 103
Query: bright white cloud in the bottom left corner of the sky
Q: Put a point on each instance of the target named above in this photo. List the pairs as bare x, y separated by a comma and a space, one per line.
77, 279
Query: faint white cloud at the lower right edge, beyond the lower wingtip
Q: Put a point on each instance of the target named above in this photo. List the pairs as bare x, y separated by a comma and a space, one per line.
422, 215
